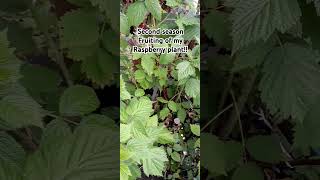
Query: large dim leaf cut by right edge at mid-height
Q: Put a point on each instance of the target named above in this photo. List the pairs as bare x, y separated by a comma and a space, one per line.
291, 79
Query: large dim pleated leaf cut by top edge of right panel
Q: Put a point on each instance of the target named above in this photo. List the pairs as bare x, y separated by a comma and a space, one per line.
254, 20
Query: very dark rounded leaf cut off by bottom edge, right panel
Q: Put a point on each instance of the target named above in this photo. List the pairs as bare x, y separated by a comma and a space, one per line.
248, 171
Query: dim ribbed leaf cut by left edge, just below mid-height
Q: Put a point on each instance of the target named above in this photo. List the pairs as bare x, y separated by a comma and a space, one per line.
20, 110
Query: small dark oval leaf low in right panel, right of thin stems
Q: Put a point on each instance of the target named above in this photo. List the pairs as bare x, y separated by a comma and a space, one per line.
265, 148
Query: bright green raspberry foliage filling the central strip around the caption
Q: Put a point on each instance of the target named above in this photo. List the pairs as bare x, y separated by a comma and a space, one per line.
160, 94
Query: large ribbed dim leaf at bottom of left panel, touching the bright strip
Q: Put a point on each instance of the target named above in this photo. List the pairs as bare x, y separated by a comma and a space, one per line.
87, 154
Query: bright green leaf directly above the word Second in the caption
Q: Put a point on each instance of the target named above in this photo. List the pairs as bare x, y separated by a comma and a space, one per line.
136, 13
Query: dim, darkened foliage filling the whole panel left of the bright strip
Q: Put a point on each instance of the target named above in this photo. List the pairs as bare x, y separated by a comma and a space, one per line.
56, 71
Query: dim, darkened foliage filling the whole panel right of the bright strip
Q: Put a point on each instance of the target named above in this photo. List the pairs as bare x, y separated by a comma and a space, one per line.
260, 108
